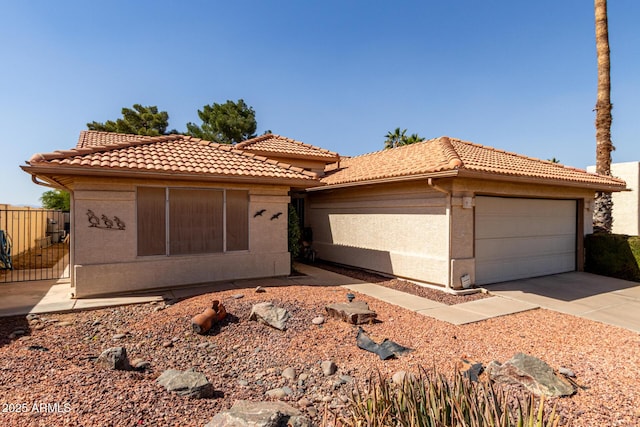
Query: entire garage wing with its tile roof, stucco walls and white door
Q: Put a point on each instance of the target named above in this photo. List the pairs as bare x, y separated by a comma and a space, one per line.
453, 213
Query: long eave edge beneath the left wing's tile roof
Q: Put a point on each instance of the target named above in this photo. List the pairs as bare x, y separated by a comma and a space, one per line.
44, 171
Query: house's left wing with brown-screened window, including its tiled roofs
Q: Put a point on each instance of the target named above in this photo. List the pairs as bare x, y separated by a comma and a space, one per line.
172, 210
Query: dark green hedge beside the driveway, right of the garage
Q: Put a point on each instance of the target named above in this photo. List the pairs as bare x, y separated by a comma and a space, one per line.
613, 255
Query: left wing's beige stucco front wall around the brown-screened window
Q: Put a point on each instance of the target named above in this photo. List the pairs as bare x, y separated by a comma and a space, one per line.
106, 261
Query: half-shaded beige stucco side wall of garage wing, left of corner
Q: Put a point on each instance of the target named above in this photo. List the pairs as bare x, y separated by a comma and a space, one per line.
400, 230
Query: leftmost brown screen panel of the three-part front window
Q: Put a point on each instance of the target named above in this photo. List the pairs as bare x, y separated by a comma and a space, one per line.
151, 221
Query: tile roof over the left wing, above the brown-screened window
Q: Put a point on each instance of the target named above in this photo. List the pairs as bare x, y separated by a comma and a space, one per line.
177, 154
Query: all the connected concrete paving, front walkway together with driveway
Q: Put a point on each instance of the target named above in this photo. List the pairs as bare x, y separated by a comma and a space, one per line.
607, 300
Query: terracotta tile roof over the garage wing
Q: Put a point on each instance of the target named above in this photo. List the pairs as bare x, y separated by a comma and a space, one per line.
458, 157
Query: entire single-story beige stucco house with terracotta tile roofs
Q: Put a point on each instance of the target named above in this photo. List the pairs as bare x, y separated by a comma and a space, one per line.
172, 210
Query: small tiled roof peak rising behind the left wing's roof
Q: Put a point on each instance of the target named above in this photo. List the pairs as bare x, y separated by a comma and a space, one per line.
271, 144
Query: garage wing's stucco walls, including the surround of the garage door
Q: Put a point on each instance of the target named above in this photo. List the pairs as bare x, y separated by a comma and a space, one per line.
415, 231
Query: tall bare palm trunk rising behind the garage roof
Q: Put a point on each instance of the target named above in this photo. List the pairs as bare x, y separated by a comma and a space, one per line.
602, 214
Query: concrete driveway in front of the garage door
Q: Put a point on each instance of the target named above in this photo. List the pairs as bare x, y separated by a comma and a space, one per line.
603, 299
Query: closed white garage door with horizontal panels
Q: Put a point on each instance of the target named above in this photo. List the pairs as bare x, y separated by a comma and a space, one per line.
519, 238
